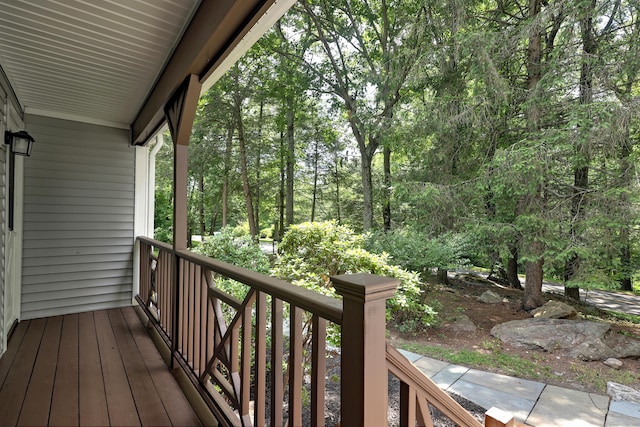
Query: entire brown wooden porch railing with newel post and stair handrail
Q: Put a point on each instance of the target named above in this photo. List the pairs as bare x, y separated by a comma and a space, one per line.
248, 354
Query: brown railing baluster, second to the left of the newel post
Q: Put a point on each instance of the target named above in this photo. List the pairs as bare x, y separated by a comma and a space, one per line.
295, 366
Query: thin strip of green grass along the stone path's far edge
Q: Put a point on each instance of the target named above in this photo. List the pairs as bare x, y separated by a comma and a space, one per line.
492, 358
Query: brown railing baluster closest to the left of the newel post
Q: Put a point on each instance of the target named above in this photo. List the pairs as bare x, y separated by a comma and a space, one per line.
318, 370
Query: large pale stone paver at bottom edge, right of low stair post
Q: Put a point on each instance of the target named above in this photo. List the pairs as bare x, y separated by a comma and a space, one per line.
562, 407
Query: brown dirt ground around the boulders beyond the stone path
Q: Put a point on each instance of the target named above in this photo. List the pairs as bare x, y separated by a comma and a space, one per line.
461, 297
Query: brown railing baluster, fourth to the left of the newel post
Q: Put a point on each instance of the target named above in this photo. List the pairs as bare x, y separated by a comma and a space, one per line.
260, 359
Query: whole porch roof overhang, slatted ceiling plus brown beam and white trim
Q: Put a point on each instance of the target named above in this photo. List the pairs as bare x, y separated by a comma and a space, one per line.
117, 63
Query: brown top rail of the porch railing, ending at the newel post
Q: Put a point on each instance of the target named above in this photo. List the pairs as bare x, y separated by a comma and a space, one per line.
313, 302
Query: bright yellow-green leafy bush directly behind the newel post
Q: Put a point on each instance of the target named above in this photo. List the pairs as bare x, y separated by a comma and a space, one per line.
312, 252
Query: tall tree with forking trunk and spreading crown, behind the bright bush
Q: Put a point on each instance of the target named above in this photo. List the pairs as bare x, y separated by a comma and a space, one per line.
369, 49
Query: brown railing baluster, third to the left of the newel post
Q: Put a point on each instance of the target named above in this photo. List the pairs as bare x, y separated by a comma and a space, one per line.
276, 362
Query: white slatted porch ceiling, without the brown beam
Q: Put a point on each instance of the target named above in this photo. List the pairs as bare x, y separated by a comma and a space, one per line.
86, 60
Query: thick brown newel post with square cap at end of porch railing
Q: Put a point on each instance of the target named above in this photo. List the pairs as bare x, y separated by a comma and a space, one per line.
364, 372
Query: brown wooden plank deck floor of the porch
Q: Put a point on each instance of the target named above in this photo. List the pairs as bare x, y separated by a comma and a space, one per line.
98, 368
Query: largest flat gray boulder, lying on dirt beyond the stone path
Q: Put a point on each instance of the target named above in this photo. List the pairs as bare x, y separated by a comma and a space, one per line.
578, 339
